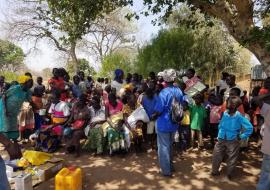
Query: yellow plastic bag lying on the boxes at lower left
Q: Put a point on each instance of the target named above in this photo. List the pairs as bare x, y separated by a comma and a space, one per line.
36, 158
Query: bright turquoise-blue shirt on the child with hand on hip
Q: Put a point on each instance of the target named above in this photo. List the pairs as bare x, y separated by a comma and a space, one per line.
230, 127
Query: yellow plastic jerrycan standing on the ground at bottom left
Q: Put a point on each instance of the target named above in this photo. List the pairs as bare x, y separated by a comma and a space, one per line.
69, 179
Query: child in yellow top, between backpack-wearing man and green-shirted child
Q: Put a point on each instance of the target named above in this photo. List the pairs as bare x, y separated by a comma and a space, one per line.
184, 128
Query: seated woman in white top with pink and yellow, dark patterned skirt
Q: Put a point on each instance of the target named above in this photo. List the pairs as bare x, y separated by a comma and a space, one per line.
49, 137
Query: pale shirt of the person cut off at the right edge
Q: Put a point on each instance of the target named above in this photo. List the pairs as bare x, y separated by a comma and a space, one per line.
265, 112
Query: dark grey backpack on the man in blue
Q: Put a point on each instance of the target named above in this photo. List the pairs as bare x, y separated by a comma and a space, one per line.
177, 111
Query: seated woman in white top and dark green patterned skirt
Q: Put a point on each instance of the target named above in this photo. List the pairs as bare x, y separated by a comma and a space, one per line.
95, 134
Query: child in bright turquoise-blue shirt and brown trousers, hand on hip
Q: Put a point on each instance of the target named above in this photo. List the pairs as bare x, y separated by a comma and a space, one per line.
228, 136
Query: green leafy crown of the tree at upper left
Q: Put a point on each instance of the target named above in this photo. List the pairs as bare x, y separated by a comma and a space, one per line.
76, 17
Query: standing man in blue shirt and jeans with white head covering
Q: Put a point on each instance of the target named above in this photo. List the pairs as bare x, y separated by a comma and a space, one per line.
165, 127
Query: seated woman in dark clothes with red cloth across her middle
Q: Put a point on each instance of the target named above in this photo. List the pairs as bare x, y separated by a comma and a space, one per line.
78, 120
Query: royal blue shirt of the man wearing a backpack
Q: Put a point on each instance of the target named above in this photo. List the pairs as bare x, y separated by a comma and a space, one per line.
163, 106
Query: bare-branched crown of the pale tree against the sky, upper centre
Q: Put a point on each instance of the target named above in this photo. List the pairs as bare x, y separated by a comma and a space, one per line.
112, 33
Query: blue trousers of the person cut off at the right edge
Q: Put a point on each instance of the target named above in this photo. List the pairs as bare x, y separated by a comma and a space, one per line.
264, 182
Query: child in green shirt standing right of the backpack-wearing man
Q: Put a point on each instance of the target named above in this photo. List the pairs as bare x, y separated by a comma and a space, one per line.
198, 116
